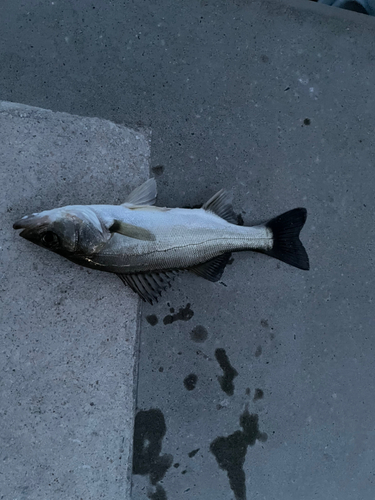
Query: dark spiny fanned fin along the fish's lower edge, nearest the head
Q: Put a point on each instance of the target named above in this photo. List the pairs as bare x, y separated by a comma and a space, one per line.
148, 286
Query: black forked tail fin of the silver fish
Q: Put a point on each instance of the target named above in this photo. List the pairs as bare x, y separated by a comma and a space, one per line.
287, 246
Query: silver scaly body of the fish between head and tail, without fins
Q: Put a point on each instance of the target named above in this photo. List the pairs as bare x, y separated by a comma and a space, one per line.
183, 238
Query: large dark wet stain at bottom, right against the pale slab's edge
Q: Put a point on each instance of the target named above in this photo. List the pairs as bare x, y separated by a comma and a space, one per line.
149, 431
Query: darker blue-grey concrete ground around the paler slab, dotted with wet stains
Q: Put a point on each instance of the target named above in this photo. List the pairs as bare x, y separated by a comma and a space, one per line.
275, 100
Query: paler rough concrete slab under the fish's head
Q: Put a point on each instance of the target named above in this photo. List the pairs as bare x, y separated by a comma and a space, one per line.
68, 335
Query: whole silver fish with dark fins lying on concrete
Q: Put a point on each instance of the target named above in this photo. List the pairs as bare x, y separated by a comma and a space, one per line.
147, 245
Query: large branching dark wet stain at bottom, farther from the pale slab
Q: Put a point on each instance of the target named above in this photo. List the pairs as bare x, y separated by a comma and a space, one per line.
230, 451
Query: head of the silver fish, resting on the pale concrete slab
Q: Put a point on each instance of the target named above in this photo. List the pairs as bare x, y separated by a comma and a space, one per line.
67, 231
